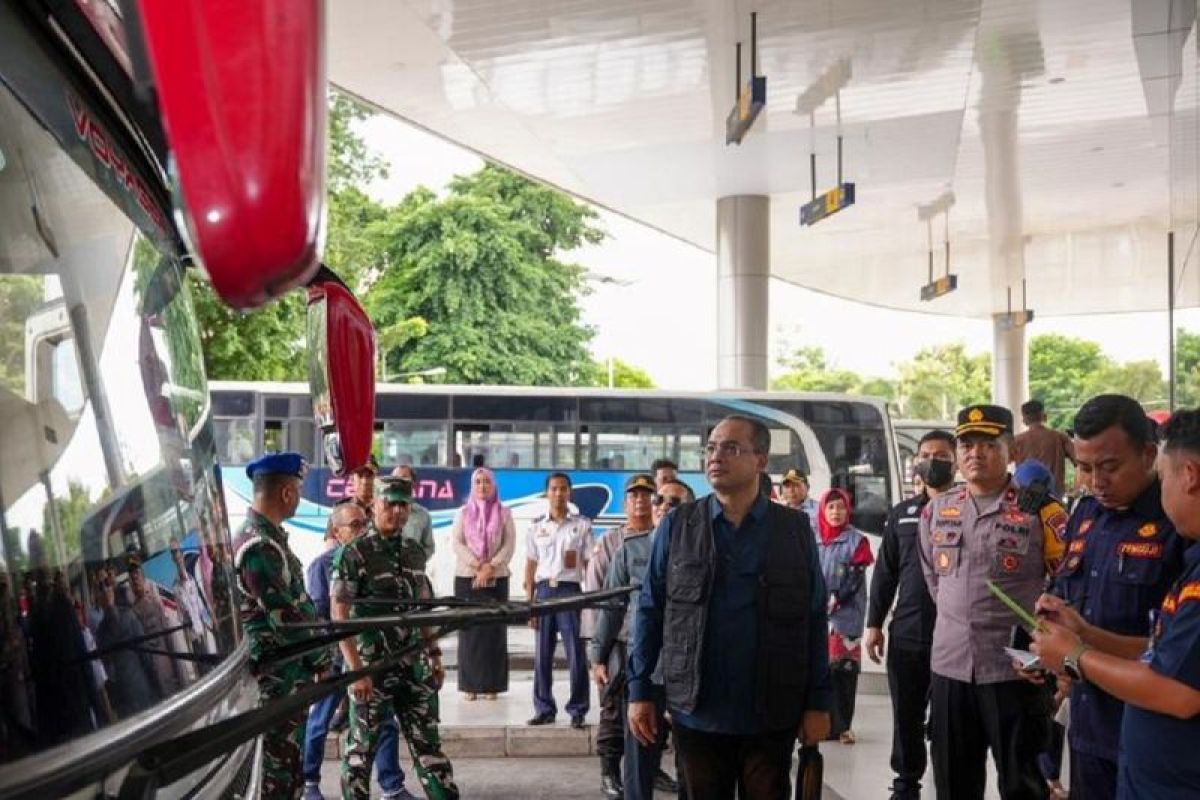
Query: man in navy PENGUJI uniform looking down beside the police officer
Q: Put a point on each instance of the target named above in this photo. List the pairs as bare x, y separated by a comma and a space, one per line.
1123, 557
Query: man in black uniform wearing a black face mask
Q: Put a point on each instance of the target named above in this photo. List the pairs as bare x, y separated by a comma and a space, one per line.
898, 573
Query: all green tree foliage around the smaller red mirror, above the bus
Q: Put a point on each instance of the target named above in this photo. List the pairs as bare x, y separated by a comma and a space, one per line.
472, 281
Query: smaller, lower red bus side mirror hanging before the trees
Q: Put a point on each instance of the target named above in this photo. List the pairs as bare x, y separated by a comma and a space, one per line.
341, 372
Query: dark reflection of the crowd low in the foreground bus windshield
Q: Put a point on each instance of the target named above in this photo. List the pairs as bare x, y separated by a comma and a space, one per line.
80, 655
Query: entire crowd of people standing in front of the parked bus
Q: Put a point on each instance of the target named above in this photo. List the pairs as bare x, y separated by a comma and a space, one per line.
753, 610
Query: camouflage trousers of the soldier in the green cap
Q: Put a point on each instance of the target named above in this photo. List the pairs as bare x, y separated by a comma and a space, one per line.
410, 694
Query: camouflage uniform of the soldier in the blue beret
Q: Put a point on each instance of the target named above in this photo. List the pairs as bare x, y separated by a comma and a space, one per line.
272, 582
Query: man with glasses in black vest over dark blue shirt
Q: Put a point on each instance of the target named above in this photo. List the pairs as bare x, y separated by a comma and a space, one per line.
734, 615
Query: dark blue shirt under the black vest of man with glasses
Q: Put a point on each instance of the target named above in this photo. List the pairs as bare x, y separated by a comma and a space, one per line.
727, 701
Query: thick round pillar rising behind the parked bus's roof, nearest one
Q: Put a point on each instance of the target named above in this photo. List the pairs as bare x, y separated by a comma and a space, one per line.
743, 268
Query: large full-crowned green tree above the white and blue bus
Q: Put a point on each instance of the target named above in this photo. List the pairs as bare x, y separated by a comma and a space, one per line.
482, 267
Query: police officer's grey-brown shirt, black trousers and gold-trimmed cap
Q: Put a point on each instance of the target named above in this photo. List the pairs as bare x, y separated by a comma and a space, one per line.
977, 701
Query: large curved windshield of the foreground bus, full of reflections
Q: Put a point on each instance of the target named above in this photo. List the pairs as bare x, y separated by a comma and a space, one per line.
115, 591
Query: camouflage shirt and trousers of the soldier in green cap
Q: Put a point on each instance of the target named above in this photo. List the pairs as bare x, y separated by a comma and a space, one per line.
373, 567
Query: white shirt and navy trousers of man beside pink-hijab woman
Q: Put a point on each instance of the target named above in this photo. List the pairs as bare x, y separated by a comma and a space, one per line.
560, 548
